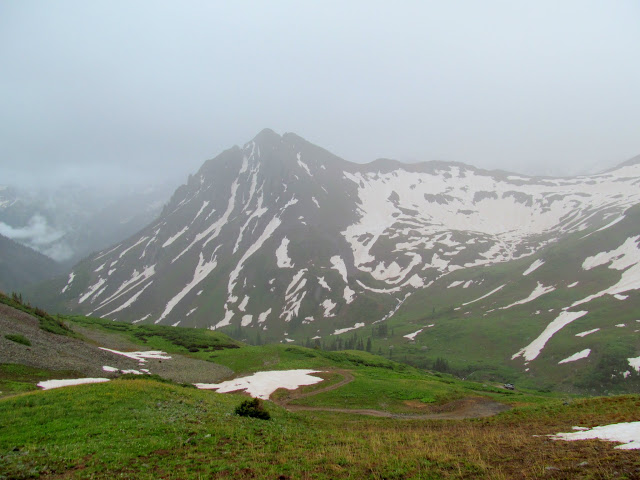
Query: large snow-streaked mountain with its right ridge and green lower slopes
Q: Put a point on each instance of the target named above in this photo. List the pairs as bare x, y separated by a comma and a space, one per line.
283, 240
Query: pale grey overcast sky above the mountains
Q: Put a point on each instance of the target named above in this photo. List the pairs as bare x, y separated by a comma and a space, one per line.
94, 90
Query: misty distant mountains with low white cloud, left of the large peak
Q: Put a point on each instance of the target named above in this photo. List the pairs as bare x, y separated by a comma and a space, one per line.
68, 222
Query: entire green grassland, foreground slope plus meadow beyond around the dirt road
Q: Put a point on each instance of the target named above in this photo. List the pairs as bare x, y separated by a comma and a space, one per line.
149, 428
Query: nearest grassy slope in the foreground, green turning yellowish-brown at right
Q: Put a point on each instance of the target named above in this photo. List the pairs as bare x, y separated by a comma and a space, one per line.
145, 429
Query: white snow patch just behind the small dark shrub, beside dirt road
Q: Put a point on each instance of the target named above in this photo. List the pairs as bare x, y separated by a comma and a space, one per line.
263, 384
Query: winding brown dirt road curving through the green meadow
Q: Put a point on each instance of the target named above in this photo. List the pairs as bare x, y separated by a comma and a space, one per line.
471, 407
